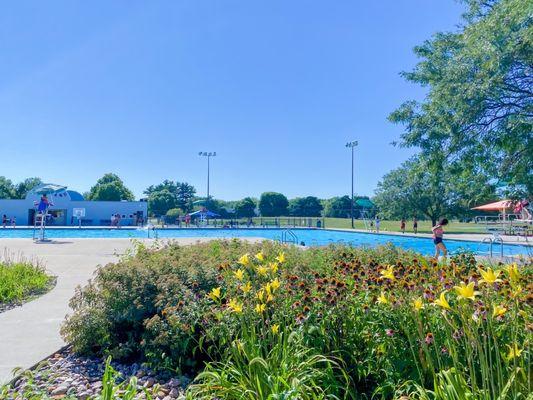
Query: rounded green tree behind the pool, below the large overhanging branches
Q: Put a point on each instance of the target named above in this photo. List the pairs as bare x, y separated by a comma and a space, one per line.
431, 189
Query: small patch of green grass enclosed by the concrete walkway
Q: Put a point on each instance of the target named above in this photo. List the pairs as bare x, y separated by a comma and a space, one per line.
21, 280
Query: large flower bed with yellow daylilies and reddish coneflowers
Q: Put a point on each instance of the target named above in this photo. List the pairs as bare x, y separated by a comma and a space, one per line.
265, 321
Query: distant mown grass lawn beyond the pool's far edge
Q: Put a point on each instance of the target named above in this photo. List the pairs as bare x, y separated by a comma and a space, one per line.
394, 226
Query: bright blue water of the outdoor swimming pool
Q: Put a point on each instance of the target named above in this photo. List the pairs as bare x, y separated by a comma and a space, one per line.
311, 237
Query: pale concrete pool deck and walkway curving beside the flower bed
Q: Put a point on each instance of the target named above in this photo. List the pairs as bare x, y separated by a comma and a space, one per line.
30, 333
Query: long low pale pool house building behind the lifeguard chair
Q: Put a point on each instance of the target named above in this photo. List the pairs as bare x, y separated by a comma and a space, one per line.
69, 208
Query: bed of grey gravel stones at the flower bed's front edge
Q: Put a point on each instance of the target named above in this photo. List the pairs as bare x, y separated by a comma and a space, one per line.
69, 376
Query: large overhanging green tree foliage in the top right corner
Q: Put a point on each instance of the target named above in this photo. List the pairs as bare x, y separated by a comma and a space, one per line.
478, 109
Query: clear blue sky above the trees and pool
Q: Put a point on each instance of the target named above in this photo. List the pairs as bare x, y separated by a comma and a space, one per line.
276, 87
